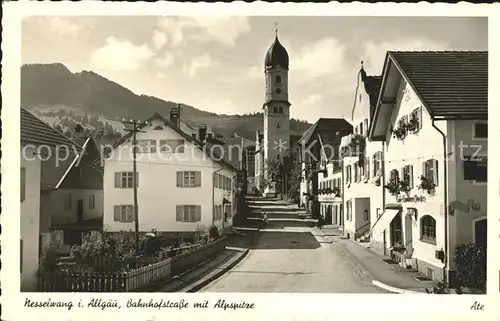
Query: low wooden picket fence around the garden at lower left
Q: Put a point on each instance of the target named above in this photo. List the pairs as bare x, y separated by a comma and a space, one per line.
132, 280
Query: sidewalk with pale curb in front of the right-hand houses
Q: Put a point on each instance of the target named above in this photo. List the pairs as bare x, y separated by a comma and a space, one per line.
389, 277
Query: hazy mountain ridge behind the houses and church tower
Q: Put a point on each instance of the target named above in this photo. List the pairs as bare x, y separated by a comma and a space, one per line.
48, 88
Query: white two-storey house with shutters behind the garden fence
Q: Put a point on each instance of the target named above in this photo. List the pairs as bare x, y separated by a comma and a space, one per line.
184, 184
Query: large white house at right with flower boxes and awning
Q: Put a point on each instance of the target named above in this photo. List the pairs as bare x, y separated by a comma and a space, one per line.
432, 118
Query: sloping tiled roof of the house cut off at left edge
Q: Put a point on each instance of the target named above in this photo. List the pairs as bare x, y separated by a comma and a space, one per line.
34, 130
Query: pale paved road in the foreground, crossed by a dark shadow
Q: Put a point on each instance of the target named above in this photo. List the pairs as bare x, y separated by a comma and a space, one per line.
293, 261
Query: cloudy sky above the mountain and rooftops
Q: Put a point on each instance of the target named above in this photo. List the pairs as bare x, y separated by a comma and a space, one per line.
217, 63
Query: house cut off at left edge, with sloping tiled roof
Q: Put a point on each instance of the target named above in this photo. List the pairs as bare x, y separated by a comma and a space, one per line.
40, 159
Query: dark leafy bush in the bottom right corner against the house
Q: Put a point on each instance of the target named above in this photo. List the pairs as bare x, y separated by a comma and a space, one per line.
470, 261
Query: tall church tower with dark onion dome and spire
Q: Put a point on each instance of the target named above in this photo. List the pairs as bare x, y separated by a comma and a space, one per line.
276, 106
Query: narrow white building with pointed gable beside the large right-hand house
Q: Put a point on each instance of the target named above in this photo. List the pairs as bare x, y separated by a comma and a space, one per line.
363, 191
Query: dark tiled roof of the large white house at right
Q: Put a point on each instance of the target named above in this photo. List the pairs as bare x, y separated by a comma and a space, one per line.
452, 84
